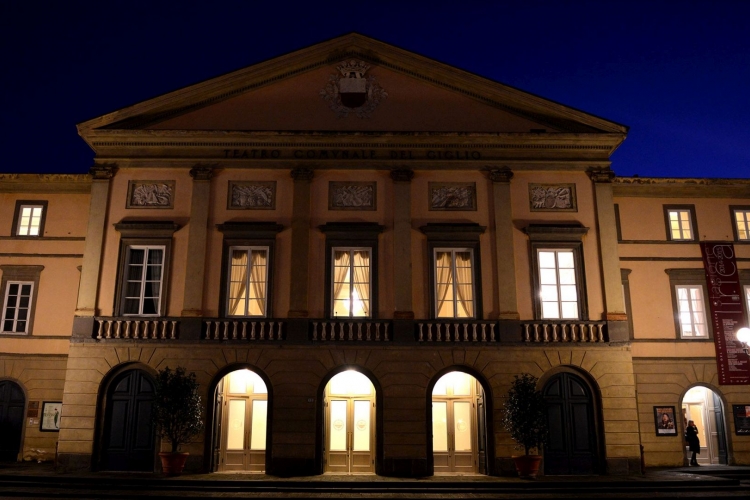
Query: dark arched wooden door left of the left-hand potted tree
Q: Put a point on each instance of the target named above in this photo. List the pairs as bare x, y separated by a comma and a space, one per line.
128, 431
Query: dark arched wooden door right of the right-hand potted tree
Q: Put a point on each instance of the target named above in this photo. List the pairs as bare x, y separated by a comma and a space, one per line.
572, 447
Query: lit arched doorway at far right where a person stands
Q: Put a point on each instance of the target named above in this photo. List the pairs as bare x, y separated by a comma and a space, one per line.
703, 406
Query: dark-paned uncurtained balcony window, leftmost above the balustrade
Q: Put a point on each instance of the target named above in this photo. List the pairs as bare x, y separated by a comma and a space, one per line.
144, 270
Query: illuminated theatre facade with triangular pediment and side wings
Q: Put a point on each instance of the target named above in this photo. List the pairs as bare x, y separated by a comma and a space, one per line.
356, 248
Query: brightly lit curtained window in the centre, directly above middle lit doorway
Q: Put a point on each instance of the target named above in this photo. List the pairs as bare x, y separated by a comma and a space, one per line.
351, 282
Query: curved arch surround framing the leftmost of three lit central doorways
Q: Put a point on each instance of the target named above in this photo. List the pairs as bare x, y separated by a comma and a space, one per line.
210, 398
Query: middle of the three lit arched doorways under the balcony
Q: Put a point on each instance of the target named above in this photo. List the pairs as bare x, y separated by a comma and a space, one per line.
350, 424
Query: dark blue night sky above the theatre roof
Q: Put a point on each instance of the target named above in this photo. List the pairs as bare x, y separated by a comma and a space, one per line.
676, 72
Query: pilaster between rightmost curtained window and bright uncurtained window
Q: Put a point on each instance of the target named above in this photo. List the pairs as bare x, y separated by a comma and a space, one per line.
507, 303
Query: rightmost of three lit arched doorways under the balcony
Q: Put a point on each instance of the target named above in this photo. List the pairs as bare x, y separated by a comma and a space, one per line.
459, 435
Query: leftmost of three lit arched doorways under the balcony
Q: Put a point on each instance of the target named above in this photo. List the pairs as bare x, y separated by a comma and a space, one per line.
241, 422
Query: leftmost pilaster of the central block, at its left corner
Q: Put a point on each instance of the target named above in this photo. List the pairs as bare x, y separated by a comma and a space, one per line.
101, 174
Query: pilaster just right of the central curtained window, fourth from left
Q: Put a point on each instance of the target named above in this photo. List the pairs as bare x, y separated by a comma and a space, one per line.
402, 271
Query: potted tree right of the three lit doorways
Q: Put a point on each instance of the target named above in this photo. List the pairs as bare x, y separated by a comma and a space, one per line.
526, 420
